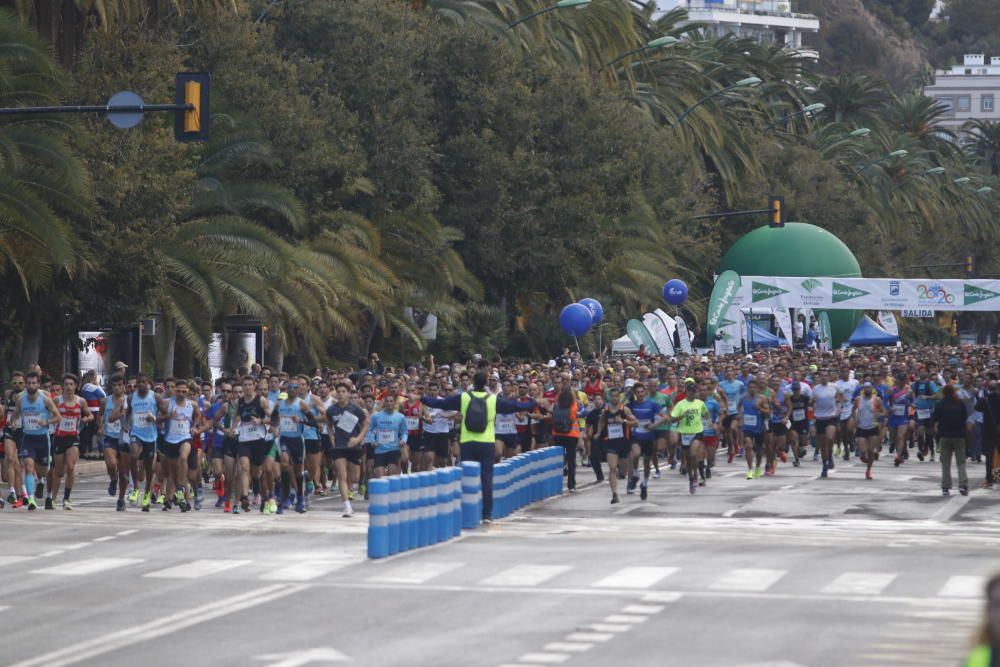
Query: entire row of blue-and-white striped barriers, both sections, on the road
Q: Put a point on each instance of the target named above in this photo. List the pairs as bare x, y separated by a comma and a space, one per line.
412, 511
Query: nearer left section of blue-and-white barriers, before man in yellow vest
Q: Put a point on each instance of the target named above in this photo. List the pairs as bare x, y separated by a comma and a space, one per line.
411, 511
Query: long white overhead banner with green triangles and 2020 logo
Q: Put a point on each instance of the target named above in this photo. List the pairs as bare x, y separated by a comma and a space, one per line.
868, 293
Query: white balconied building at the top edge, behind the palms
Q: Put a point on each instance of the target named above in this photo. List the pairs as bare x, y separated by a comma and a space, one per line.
764, 20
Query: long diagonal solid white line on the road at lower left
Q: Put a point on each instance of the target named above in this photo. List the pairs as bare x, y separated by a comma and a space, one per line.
165, 625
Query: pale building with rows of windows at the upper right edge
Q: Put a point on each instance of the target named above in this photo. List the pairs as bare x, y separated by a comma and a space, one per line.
969, 91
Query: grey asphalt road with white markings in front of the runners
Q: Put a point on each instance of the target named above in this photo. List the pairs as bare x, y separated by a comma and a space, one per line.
782, 571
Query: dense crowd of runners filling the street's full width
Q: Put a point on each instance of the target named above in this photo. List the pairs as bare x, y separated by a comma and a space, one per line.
267, 441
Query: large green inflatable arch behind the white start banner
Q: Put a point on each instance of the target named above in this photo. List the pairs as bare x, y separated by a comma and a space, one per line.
798, 249
